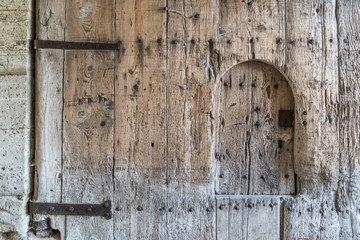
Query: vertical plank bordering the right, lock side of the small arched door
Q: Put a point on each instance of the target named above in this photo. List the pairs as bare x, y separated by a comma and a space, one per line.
304, 68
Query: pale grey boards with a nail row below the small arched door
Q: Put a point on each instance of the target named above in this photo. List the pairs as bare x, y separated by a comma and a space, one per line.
245, 217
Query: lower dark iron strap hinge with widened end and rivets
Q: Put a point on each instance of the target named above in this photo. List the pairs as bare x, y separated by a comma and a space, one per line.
103, 209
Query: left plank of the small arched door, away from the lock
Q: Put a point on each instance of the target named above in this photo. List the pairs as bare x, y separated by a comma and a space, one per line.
235, 130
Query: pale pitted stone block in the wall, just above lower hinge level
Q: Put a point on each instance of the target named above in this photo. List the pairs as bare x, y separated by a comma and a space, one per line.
15, 158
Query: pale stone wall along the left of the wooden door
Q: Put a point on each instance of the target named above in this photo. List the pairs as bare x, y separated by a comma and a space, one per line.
16, 121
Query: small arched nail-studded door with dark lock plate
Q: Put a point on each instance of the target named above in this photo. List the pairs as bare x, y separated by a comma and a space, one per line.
255, 152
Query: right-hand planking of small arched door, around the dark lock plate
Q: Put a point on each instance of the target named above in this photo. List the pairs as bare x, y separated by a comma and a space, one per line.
271, 162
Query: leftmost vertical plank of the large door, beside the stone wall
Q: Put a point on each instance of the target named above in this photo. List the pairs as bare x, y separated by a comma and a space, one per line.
50, 25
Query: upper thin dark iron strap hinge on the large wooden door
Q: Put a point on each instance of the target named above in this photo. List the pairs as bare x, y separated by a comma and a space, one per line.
76, 45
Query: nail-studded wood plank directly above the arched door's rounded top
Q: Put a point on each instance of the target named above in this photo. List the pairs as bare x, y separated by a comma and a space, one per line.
252, 30
